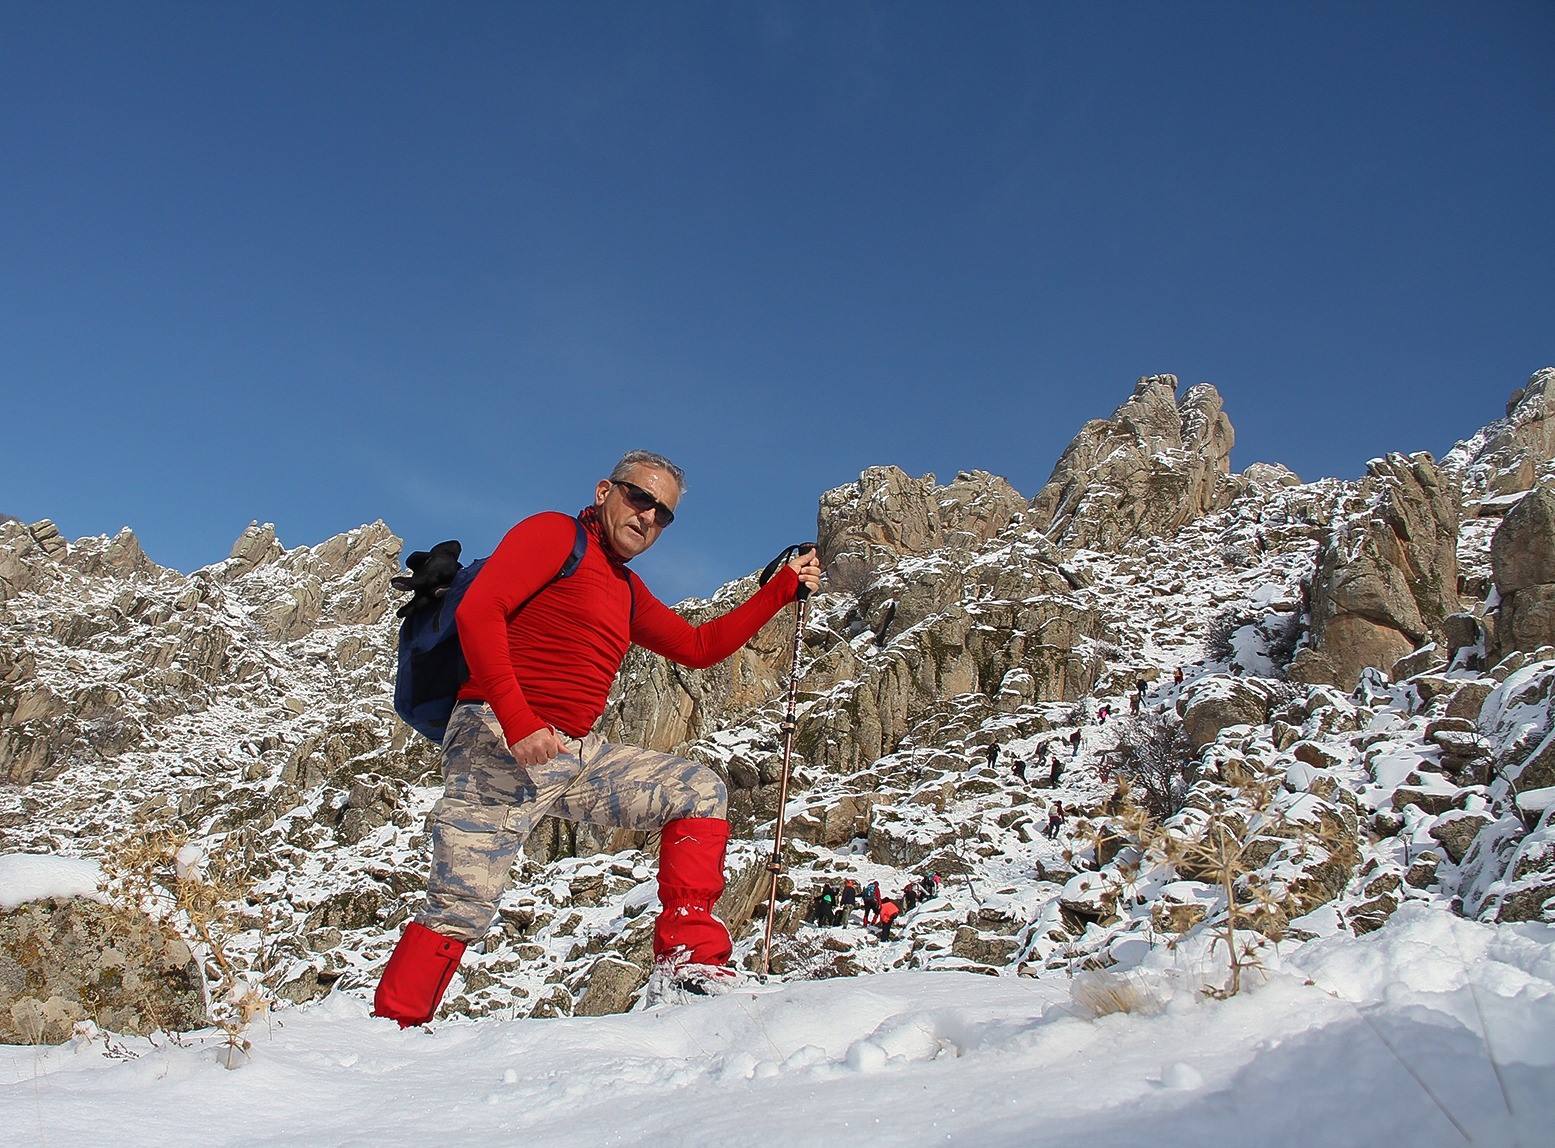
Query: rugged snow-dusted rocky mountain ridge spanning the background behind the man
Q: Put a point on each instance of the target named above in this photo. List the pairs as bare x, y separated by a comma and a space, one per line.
1368, 677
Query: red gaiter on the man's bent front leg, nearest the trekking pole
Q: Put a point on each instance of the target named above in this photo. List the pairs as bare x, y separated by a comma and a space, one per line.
691, 881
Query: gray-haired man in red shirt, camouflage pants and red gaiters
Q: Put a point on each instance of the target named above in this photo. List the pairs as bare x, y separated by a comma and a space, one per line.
522, 743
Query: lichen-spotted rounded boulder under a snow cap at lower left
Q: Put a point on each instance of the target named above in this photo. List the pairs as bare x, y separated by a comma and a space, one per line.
72, 961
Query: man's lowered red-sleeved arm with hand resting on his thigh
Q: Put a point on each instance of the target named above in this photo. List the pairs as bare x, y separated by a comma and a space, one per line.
522, 565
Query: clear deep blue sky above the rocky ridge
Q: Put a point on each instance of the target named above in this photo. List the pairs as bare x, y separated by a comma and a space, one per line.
321, 264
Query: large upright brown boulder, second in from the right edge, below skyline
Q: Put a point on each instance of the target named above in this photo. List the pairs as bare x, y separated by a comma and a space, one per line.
1386, 576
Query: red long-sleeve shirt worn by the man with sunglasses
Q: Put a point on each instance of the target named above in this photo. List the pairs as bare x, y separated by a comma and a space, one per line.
554, 660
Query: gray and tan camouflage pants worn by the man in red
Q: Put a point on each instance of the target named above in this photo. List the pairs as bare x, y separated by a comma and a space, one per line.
491, 805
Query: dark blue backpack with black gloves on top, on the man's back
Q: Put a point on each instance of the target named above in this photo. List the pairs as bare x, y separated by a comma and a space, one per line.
432, 665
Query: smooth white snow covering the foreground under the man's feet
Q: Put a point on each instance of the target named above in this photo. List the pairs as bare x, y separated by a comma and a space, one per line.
1433, 1031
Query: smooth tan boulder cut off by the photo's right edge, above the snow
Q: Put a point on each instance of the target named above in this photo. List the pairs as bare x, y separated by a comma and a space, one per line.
1523, 559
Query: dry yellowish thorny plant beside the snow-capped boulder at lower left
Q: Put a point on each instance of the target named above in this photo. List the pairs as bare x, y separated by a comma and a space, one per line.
197, 898
